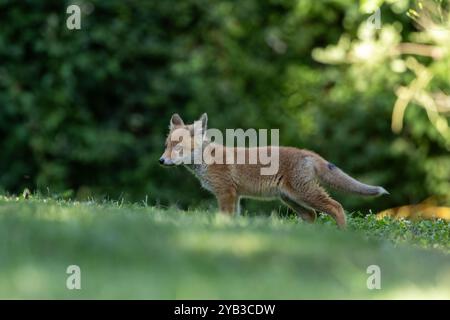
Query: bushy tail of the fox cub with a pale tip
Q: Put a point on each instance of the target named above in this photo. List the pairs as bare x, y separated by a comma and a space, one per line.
331, 175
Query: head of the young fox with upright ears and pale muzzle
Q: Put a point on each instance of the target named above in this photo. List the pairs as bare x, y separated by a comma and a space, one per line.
184, 142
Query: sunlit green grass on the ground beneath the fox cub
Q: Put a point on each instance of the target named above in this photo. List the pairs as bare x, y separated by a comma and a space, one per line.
138, 252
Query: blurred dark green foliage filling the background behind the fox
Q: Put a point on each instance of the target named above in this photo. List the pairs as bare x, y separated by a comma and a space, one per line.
85, 112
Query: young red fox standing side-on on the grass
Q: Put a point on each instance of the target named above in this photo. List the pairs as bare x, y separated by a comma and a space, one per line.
296, 182
